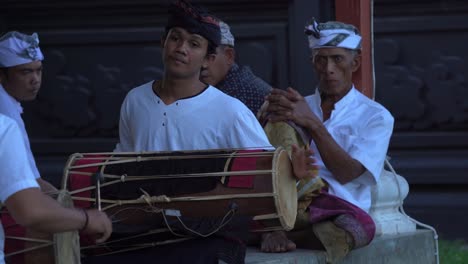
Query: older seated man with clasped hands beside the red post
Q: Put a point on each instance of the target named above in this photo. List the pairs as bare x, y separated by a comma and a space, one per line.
350, 134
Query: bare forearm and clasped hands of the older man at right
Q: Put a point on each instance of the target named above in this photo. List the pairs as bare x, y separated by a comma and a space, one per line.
290, 105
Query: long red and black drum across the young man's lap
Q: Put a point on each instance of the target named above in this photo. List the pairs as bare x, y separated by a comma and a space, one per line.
126, 177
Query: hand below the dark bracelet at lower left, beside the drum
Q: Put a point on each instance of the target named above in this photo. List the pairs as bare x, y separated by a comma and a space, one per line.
99, 226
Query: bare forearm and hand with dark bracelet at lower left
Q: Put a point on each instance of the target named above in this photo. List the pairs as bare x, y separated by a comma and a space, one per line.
33, 209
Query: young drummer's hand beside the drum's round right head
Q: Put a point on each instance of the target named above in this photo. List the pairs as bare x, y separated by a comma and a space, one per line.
303, 163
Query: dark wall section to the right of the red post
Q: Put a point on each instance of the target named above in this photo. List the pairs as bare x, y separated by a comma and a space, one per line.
421, 77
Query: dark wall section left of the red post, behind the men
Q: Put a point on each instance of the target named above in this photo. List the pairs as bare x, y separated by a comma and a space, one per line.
95, 52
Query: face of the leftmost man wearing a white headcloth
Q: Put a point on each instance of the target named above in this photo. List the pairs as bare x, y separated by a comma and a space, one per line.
23, 81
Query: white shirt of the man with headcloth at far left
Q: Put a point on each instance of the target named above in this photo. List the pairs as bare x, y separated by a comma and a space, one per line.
10, 107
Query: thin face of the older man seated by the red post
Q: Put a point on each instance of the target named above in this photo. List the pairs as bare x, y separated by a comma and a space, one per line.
335, 67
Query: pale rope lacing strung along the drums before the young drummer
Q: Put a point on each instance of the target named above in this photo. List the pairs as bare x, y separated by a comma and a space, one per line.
152, 200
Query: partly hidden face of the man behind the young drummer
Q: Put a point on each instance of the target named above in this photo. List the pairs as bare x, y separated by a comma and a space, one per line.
217, 70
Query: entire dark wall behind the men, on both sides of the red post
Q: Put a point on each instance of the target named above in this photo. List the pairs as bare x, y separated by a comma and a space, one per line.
97, 50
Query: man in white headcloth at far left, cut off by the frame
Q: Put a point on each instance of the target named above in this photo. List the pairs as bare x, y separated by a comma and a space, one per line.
20, 80
